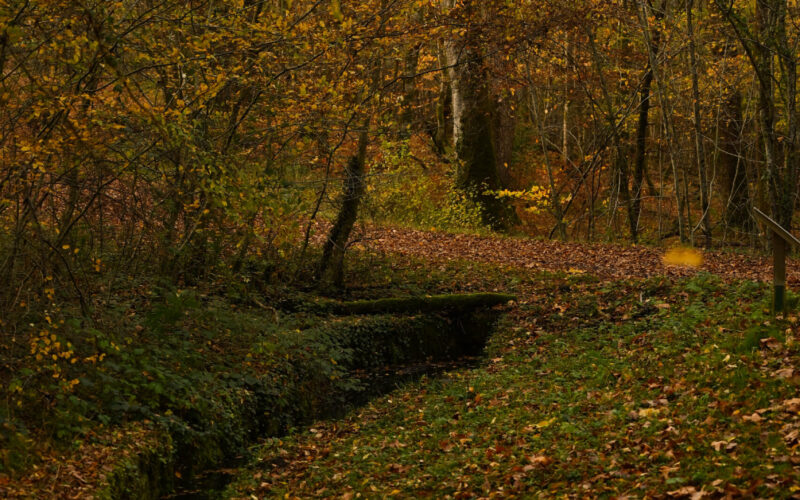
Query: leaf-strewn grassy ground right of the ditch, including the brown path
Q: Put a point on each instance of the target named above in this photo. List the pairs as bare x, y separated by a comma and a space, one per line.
615, 376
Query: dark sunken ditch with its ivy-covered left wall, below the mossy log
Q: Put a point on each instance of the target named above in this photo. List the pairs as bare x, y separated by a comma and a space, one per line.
313, 373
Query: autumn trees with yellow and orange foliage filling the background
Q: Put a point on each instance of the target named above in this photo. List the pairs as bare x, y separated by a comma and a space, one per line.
182, 136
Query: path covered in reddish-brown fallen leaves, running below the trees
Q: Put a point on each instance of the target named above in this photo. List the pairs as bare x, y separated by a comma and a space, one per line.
608, 261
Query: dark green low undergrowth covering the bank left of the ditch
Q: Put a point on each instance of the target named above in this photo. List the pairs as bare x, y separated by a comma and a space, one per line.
195, 362
